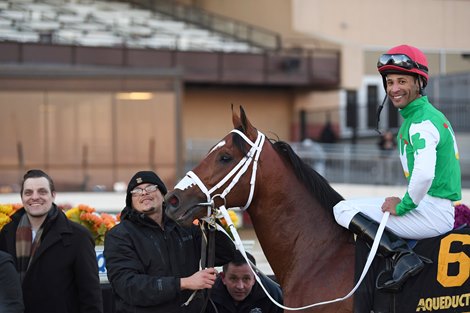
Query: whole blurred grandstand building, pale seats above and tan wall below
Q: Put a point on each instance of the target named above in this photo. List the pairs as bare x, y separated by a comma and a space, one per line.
79, 78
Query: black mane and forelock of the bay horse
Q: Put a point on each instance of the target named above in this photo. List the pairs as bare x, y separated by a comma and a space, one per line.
317, 185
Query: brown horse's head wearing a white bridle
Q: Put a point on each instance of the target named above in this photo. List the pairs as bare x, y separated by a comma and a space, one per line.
221, 178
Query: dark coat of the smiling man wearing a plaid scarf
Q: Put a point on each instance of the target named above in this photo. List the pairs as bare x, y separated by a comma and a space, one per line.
63, 275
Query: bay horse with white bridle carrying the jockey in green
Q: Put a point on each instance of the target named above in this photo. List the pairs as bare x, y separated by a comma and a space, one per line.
290, 206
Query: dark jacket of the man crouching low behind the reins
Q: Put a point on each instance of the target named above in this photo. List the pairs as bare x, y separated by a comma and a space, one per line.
256, 302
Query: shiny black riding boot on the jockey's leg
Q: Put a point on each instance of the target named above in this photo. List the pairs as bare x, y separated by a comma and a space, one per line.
405, 263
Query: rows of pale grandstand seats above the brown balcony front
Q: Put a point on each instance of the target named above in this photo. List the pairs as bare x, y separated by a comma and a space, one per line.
107, 24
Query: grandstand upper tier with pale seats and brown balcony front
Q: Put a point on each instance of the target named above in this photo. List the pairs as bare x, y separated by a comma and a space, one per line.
220, 51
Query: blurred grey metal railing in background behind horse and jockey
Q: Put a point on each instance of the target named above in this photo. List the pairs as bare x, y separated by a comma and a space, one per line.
338, 163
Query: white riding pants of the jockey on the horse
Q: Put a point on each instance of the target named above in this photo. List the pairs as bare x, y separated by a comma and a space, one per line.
433, 216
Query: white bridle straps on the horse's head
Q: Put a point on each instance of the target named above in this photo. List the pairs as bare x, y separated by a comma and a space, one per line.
236, 173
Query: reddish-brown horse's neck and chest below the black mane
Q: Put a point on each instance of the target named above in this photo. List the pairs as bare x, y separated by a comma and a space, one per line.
303, 244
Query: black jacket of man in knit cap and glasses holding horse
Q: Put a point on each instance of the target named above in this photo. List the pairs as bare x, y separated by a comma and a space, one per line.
145, 263
